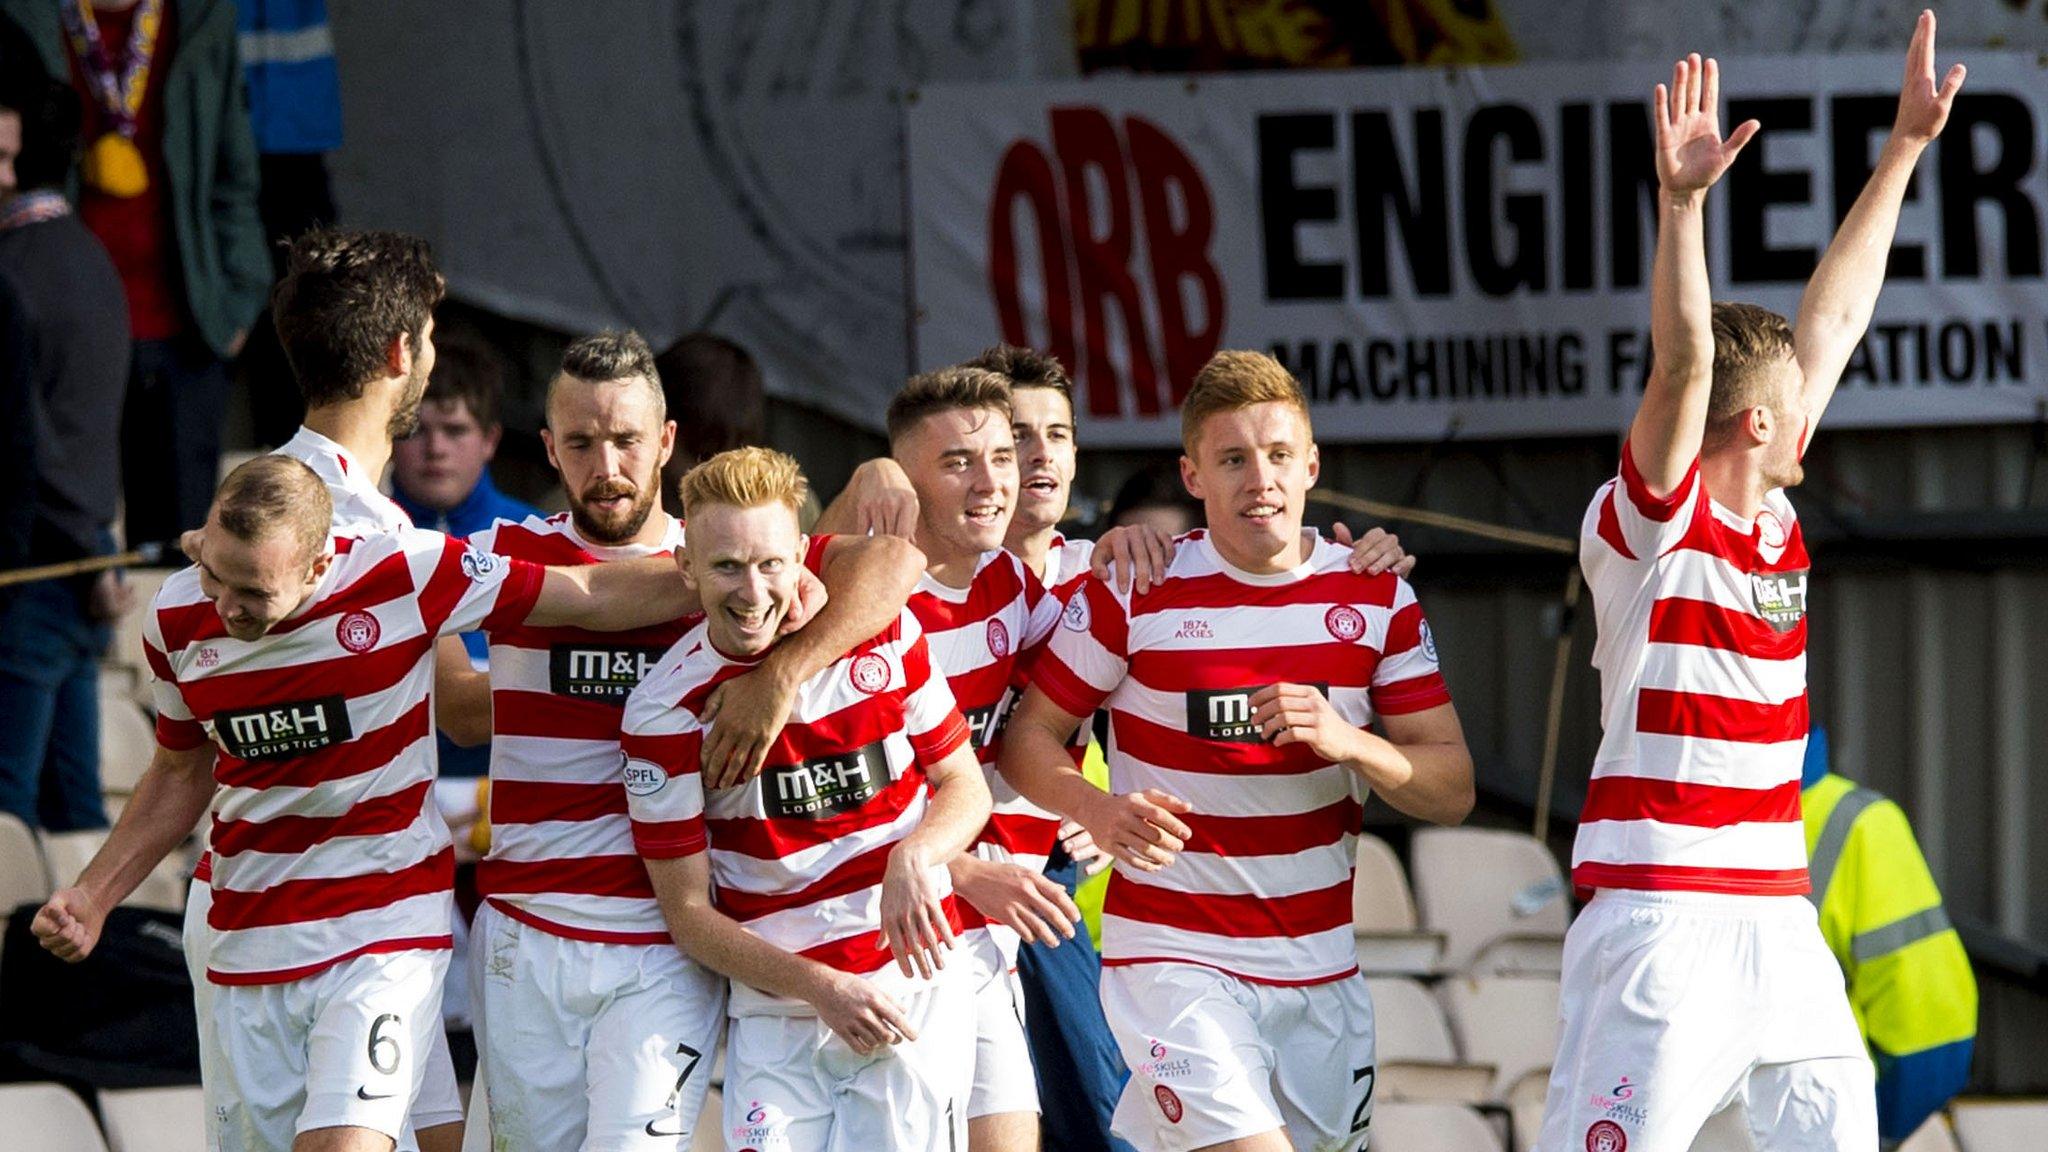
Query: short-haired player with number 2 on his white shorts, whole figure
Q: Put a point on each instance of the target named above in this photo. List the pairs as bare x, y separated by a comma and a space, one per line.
1240, 688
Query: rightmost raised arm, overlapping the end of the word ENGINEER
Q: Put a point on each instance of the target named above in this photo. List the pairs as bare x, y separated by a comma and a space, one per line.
1844, 288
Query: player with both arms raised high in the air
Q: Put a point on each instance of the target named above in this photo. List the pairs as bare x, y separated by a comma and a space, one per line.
1701, 1005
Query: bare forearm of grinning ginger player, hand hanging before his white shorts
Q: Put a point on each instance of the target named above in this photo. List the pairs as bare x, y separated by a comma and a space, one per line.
849, 1005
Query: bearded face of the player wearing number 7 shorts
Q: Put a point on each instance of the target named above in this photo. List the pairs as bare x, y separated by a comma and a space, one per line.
609, 442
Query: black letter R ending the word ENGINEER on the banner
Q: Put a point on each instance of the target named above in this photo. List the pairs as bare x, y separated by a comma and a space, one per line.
1965, 186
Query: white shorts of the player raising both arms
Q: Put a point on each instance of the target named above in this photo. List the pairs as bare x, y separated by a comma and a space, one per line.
1684, 1005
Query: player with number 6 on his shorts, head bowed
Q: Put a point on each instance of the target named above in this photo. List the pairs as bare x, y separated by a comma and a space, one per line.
292, 682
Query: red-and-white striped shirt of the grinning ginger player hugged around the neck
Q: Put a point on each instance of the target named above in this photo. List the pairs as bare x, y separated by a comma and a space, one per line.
798, 854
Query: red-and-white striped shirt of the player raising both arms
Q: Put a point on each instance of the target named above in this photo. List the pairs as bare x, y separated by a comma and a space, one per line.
1703, 692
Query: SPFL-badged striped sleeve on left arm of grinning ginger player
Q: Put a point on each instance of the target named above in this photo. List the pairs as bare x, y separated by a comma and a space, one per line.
665, 792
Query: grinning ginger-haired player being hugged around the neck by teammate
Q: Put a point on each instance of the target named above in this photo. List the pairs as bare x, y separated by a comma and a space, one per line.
820, 884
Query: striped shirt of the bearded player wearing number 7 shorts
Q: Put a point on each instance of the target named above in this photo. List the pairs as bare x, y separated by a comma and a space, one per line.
562, 848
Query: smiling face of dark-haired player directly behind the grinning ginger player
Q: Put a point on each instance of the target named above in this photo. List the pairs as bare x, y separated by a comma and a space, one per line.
964, 462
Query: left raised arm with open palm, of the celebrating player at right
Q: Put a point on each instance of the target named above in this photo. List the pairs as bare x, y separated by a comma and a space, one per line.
1691, 155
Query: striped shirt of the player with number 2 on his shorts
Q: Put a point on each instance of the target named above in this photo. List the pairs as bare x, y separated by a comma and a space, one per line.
1265, 887
